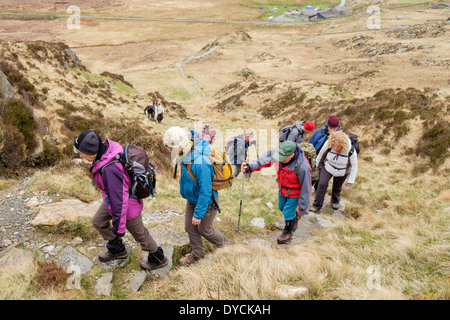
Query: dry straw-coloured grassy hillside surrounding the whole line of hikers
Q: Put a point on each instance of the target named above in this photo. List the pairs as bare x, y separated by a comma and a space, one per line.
389, 240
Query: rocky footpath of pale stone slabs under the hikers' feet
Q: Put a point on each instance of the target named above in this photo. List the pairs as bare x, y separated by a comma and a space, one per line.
22, 215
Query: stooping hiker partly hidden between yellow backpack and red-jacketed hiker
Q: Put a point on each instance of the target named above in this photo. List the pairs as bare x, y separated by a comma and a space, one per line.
237, 148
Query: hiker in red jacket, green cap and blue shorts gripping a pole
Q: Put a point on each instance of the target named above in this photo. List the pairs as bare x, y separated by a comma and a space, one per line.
294, 183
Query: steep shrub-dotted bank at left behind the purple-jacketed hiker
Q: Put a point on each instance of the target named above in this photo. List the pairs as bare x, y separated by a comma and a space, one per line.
57, 98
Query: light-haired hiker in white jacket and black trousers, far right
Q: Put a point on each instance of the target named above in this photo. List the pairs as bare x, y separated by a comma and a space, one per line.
337, 160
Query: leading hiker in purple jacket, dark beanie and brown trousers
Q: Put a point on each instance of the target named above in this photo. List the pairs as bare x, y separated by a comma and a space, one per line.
119, 211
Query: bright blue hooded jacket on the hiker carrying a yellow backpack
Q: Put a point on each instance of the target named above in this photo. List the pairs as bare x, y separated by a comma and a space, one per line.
200, 192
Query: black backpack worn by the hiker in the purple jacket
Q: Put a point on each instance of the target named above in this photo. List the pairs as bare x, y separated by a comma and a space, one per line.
142, 173
